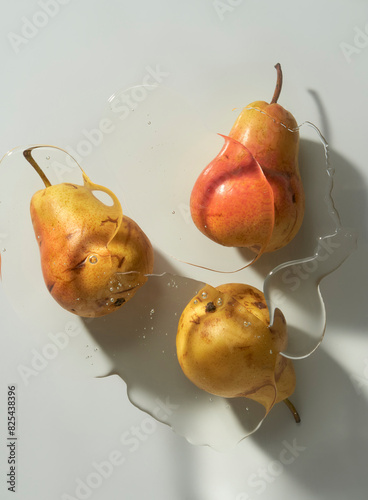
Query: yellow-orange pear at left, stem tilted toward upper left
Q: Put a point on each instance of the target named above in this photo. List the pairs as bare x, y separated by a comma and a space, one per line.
94, 259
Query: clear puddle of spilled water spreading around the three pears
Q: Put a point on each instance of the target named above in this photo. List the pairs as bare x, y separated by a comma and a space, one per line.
139, 339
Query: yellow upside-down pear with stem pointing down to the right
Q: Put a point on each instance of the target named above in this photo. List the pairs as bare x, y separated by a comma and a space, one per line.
226, 347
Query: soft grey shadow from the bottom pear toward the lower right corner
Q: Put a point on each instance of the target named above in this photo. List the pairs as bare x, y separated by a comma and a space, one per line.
329, 443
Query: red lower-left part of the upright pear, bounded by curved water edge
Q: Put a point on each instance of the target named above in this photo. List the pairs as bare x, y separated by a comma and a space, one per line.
231, 191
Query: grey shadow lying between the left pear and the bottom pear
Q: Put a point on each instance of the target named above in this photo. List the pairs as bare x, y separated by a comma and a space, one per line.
140, 338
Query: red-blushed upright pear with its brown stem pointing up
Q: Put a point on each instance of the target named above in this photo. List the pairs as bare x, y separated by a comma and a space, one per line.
251, 195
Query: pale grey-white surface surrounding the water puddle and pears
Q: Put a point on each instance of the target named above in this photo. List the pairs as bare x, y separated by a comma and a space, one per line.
55, 85
